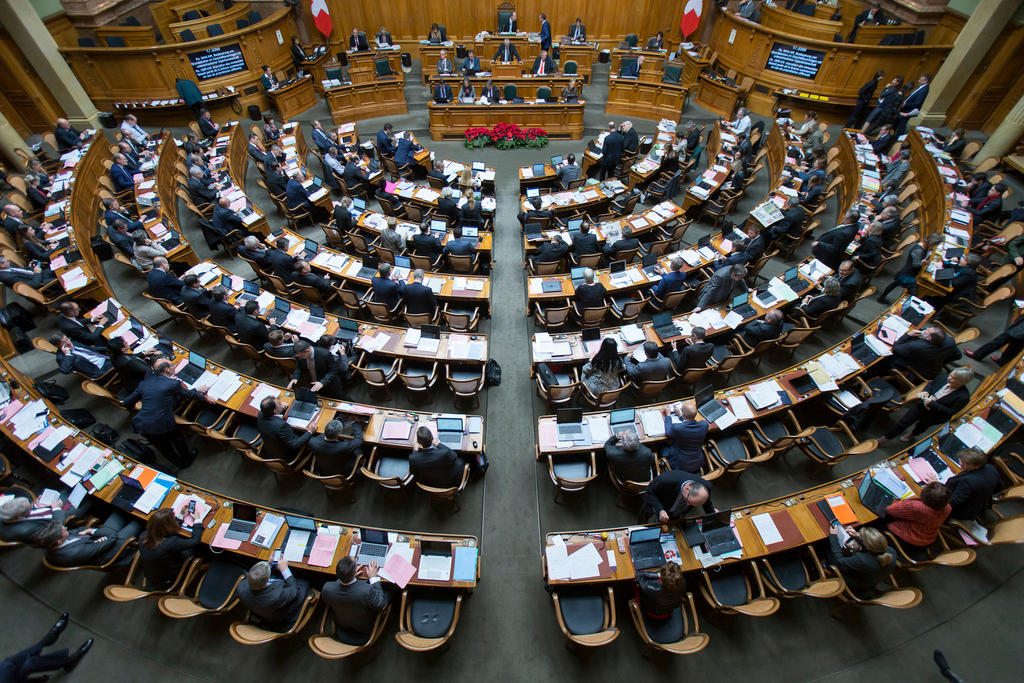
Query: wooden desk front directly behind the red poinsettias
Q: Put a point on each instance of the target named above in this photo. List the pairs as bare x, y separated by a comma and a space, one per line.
562, 120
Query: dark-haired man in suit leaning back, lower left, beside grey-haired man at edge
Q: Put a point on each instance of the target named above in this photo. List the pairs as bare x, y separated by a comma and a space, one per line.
90, 546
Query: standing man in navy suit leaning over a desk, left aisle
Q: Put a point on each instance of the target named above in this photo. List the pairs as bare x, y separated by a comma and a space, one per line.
161, 393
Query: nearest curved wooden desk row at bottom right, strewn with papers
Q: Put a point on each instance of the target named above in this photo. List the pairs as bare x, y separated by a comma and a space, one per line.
796, 518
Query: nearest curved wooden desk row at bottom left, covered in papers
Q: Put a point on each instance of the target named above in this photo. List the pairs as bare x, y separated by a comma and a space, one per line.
102, 482
